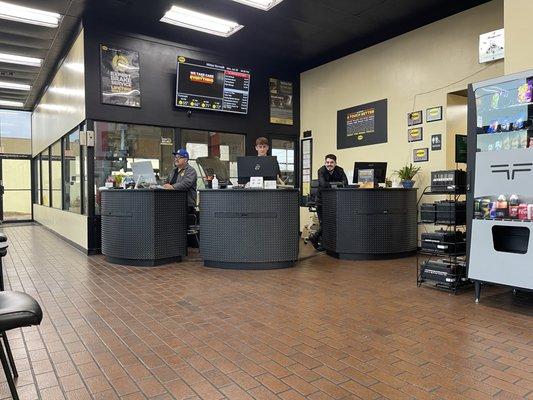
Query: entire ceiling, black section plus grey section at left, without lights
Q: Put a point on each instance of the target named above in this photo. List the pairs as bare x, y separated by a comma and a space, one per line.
296, 34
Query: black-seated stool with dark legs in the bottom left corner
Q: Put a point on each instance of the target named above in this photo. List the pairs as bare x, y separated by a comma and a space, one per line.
17, 310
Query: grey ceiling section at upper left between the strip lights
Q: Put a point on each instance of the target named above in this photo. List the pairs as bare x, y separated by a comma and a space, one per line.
36, 41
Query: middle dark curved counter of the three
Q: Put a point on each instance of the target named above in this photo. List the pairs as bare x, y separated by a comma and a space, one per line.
249, 228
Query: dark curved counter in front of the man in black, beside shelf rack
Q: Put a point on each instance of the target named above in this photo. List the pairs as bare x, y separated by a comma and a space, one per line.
365, 224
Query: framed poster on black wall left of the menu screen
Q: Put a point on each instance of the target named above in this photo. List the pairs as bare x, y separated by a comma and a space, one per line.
119, 76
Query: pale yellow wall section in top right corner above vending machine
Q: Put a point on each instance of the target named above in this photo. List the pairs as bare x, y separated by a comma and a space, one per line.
517, 19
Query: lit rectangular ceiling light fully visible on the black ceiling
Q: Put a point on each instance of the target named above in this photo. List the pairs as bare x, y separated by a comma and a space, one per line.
201, 22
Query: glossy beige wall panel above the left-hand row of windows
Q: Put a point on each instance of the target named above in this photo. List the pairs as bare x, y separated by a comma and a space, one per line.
62, 107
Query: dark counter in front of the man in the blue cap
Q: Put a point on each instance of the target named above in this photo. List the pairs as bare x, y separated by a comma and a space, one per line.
144, 227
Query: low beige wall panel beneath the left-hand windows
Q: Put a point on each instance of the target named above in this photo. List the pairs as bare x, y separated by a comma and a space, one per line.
69, 225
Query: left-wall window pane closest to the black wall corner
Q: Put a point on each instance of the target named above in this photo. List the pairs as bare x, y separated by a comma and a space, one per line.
72, 173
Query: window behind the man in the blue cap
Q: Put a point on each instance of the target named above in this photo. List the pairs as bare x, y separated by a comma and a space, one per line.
118, 145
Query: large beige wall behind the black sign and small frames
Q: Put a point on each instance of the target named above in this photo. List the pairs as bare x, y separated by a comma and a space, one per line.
414, 71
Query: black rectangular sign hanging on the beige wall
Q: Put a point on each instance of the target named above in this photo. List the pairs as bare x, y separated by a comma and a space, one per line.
362, 125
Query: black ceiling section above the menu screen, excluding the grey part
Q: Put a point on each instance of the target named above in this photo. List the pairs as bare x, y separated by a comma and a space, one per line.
297, 33
